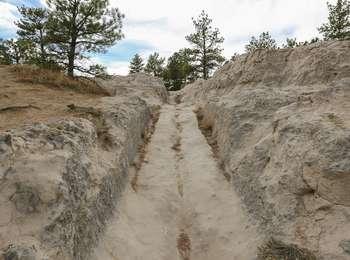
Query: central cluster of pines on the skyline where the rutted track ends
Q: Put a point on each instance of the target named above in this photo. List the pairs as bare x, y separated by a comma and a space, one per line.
187, 64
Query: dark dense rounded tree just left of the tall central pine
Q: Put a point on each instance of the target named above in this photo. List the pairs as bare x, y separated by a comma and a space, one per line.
179, 70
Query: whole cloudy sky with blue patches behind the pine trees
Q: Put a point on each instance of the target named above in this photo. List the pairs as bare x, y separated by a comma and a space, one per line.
161, 25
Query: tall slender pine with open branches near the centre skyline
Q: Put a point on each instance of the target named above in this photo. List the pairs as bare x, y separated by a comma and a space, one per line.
206, 46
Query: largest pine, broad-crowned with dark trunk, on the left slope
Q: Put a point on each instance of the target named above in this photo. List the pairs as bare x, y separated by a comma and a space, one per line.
77, 27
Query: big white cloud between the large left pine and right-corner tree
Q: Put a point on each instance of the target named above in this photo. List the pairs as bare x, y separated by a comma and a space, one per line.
237, 20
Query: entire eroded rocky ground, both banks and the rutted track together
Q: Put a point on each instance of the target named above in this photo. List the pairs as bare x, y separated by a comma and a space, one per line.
91, 176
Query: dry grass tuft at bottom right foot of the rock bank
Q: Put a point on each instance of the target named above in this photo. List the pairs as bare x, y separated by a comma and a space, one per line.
277, 250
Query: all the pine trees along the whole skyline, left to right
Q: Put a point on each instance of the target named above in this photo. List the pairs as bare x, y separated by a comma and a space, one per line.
62, 36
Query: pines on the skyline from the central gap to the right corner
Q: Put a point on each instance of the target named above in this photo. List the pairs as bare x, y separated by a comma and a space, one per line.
205, 54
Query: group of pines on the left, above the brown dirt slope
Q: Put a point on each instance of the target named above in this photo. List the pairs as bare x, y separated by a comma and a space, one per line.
61, 35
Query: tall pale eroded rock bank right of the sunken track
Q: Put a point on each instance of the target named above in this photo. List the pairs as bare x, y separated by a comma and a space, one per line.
281, 120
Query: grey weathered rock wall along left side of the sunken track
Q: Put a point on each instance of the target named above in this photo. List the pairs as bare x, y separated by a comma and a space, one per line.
60, 180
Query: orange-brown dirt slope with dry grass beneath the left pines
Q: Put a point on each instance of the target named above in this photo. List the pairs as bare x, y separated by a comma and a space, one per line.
23, 103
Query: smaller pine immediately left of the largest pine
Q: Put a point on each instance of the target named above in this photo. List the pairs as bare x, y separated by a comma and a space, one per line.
32, 27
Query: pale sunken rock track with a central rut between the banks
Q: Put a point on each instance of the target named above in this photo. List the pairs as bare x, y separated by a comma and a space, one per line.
184, 208
